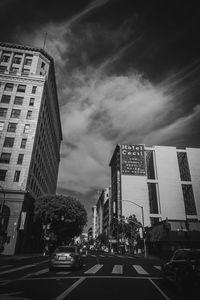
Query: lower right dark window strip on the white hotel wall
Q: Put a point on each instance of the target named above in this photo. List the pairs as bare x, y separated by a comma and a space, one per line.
190, 207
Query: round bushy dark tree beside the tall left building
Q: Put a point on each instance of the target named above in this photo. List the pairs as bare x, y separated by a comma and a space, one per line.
64, 215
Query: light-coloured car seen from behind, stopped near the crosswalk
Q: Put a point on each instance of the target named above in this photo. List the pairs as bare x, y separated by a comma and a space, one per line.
66, 257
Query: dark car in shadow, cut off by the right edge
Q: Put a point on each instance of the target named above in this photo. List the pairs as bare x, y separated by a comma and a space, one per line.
183, 269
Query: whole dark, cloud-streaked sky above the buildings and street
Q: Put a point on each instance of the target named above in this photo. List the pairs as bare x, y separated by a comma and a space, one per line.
127, 71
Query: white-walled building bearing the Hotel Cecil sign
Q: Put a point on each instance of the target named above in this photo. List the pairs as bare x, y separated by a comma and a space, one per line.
156, 183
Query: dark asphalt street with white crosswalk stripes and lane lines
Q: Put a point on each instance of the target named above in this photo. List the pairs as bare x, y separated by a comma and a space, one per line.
103, 276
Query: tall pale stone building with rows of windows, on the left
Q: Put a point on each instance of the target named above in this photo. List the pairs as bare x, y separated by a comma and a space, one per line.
30, 137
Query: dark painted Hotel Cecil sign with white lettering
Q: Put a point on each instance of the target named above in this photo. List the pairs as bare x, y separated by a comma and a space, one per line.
133, 160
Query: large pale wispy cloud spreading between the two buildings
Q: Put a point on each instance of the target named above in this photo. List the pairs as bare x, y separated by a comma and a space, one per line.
100, 108
